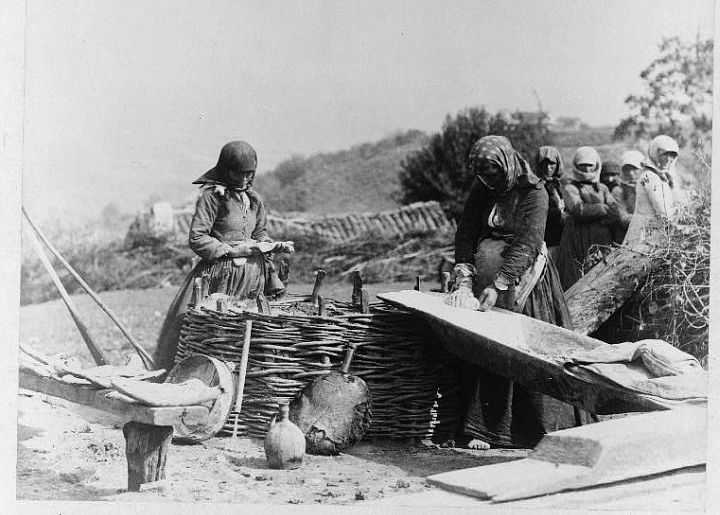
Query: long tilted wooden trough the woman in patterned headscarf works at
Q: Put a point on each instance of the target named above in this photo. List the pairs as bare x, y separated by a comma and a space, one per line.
525, 350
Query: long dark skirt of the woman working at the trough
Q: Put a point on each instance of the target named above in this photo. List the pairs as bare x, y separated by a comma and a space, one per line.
505, 413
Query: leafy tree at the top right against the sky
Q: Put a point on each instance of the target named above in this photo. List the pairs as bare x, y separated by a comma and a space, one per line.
678, 94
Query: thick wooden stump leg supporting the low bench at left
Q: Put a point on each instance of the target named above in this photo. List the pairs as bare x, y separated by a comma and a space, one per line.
146, 449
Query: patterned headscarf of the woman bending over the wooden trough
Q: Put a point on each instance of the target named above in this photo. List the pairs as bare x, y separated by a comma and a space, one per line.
499, 151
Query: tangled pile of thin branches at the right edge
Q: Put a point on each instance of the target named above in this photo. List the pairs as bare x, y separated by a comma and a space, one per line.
674, 301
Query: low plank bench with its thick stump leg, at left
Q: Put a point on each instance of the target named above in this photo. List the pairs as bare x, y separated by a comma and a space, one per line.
148, 430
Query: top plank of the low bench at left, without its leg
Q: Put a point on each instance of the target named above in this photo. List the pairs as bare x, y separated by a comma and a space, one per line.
115, 403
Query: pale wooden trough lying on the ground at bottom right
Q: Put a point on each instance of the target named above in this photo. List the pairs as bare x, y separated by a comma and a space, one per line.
592, 455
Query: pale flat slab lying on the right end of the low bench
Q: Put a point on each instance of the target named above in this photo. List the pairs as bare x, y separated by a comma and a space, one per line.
187, 393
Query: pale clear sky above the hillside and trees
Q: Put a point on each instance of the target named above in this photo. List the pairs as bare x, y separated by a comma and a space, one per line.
146, 92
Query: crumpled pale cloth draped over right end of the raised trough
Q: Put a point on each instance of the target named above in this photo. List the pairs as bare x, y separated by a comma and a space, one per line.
651, 367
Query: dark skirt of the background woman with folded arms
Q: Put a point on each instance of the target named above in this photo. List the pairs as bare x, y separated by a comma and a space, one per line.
576, 241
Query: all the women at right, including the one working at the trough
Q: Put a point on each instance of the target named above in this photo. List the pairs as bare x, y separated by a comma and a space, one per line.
517, 225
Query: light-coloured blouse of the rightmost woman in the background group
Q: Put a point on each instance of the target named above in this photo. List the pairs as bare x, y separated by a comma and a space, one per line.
654, 202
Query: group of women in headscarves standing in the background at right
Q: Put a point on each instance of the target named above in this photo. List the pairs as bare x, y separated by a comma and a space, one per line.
595, 206
